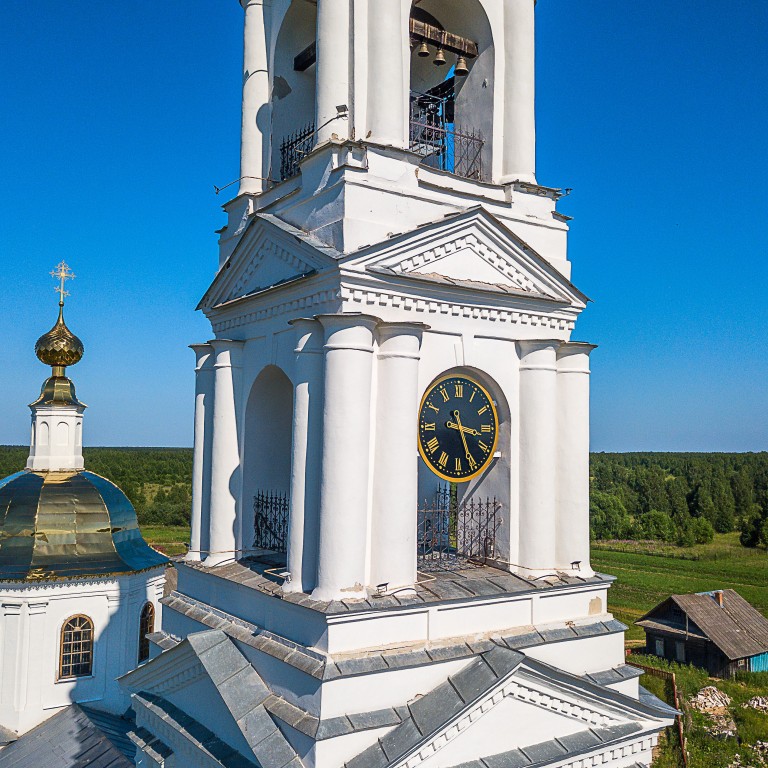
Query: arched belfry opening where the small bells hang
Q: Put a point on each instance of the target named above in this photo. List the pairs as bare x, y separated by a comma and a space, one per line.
473, 109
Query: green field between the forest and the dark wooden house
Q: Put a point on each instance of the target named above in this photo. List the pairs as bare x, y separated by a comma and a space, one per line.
648, 572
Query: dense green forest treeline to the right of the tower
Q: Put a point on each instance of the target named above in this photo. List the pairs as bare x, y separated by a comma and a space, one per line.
681, 498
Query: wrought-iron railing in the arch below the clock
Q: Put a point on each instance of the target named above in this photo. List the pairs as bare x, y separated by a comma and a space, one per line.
453, 534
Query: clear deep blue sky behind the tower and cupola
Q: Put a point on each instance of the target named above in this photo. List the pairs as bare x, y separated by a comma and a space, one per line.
116, 121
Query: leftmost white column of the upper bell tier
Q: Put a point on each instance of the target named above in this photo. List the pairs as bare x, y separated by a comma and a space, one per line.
255, 132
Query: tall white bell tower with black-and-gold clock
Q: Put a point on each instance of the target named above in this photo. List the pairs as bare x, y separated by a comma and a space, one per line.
389, 559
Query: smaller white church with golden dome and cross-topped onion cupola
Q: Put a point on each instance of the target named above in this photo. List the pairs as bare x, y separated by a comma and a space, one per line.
80, 589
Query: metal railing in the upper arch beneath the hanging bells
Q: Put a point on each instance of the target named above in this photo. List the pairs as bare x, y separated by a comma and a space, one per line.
441, 143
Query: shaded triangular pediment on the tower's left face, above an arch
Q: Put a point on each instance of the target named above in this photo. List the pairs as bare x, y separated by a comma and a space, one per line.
270, 254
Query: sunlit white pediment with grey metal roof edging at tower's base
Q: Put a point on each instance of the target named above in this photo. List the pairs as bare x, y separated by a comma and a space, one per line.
505, 704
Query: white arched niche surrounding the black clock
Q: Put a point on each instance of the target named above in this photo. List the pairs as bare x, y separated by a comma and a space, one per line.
494, 482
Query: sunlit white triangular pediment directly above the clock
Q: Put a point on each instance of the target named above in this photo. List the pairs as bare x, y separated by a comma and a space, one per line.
472, 251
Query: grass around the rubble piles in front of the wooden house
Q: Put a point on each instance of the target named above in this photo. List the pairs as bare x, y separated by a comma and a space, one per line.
704, 750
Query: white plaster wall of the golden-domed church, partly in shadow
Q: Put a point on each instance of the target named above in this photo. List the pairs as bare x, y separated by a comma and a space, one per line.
30, 631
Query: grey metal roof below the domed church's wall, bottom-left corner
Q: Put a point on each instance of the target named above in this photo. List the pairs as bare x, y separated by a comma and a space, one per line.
73, 738
